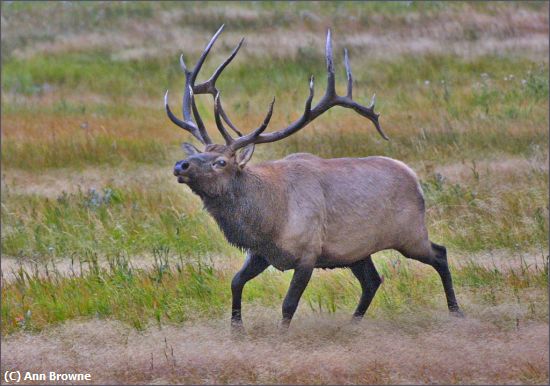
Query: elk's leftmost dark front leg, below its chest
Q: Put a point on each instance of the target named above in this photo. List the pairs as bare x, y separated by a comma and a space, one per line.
253, 266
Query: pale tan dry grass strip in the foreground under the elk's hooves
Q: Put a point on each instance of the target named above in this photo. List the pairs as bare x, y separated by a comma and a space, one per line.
317, 349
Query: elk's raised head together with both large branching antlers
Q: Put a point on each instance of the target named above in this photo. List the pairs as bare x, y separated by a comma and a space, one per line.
211, 171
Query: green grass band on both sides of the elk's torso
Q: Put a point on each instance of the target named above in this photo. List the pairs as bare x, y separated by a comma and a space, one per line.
131, 216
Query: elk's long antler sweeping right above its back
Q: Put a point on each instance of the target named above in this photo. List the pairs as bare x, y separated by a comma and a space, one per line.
329, 100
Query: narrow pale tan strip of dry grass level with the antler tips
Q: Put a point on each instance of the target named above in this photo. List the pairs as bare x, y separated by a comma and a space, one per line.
289, 44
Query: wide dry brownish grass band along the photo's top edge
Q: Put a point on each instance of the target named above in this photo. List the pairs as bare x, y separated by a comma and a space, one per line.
465, 30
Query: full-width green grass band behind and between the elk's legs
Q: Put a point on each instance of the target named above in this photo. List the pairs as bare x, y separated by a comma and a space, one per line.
175, 289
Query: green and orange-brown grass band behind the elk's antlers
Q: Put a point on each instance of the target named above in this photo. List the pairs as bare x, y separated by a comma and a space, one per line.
466, 109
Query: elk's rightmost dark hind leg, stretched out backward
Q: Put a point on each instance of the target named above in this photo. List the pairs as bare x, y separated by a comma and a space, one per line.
436, 256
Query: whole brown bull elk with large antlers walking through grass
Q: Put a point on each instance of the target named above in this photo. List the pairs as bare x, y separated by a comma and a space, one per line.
303, 212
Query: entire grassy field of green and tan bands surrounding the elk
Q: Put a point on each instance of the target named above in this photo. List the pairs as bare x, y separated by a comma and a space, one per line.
111, 267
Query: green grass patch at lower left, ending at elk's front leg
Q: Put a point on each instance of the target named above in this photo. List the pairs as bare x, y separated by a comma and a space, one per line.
134, 296
